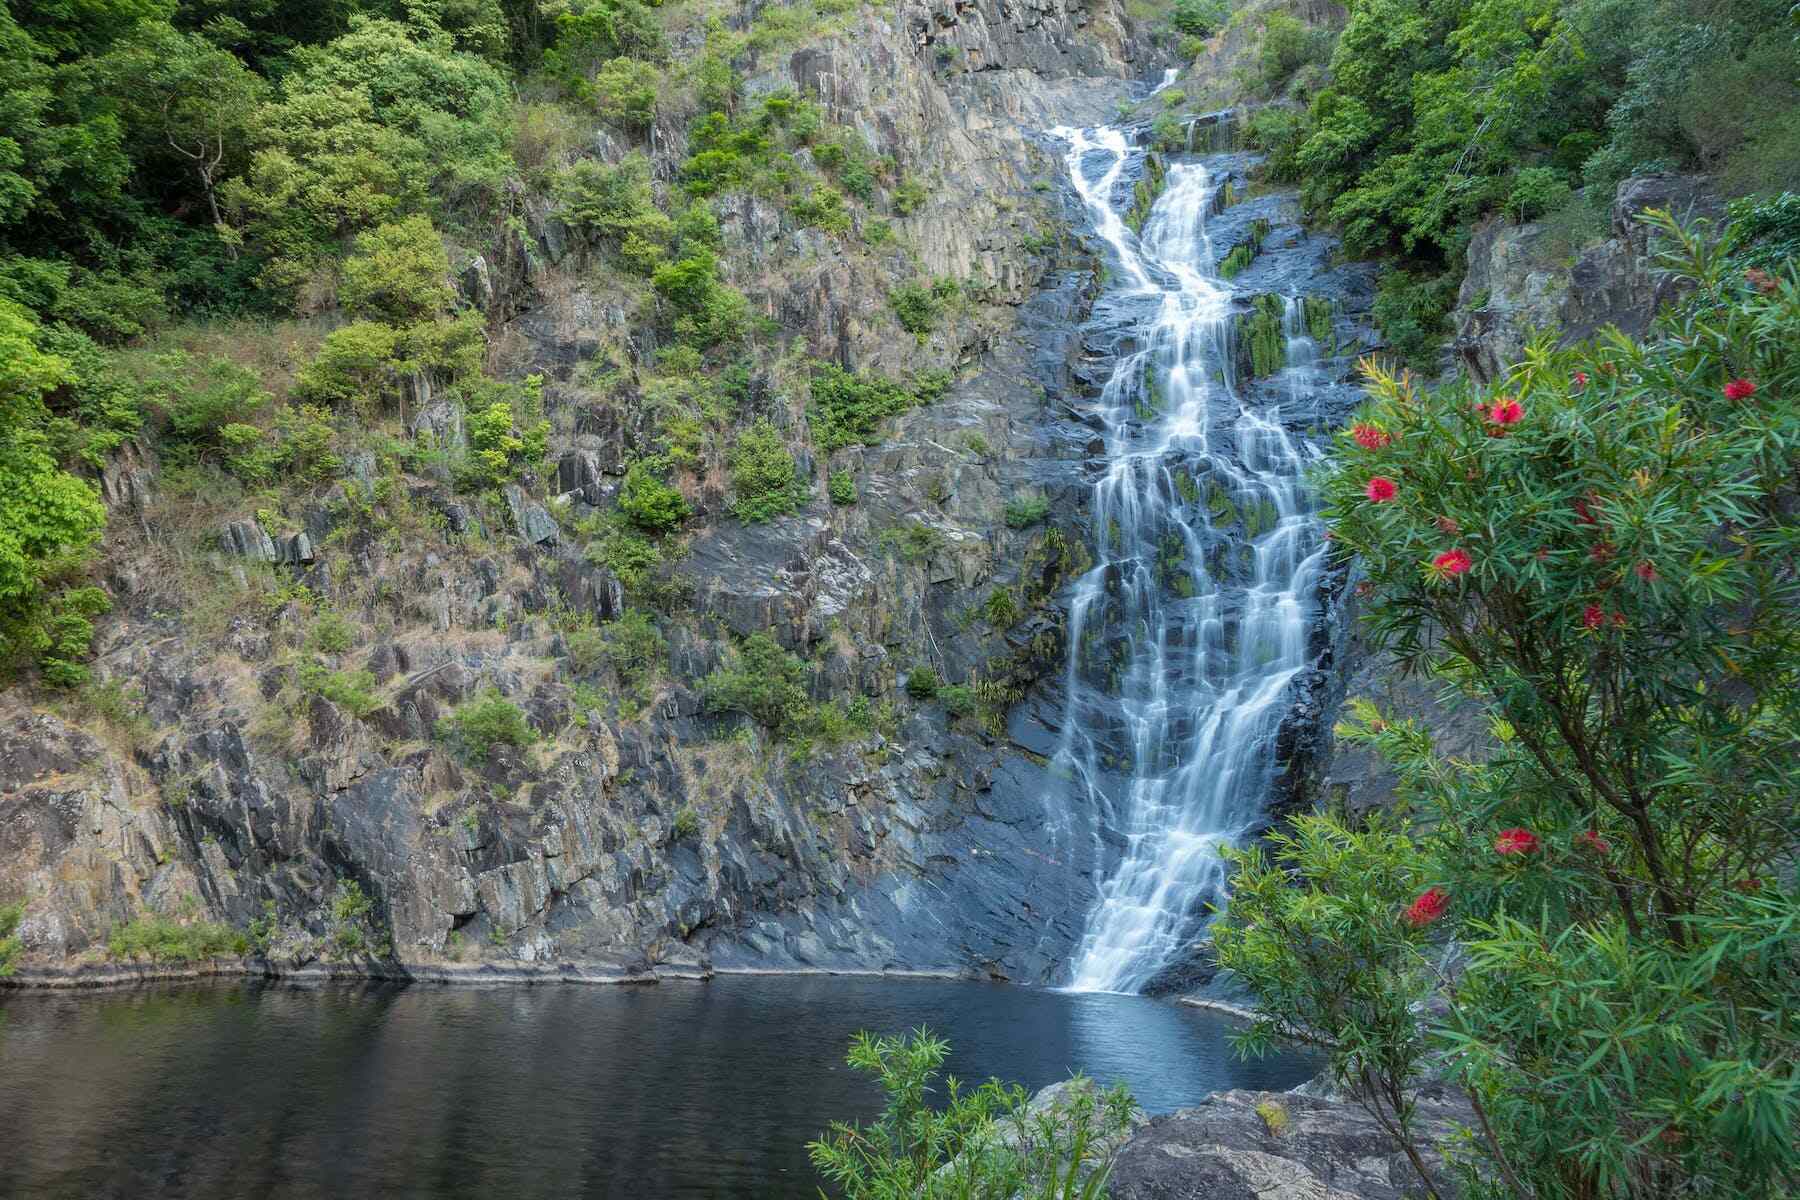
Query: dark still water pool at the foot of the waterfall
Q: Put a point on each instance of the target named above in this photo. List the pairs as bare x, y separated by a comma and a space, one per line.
516, 1093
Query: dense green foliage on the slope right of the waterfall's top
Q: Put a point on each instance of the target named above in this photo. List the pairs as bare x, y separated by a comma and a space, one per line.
1435, 114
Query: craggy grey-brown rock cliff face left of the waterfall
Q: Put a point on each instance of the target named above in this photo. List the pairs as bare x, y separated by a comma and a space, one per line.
660, 837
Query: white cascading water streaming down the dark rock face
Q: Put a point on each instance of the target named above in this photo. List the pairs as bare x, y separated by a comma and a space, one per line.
1187, 634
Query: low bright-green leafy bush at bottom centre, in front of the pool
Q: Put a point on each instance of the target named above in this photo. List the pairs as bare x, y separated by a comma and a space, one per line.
984, 1142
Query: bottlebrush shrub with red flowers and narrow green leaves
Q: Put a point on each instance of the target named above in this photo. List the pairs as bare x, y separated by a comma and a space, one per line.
1628, 1016
